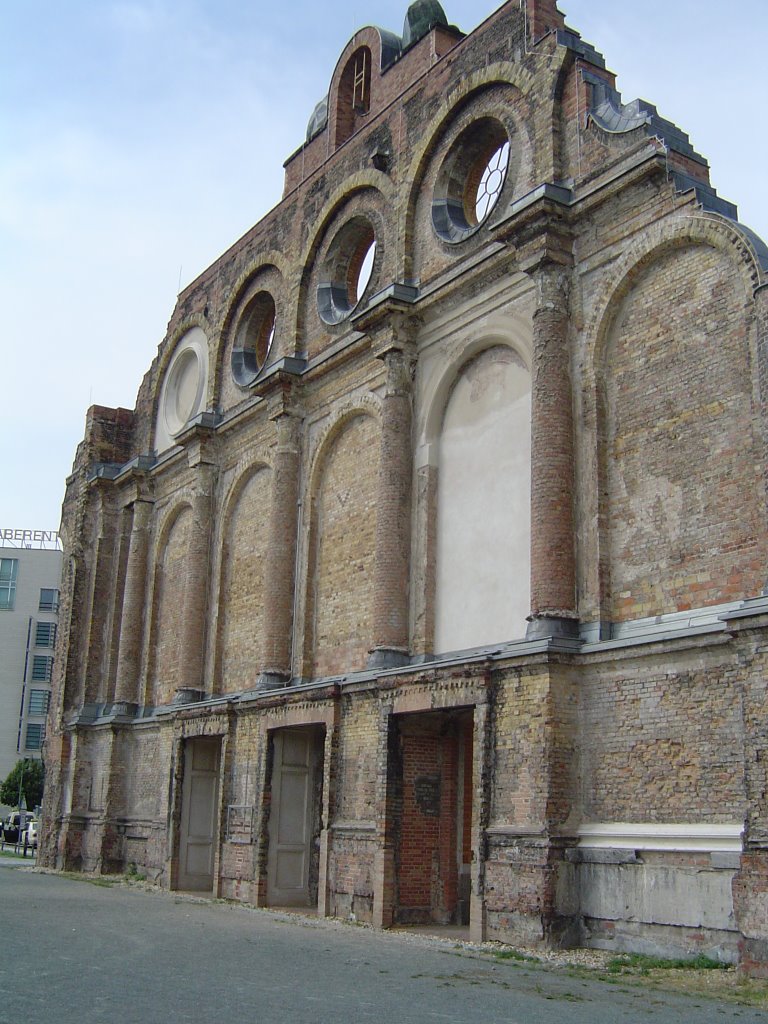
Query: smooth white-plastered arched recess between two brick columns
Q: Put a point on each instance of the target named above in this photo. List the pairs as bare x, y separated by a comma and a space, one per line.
482, 519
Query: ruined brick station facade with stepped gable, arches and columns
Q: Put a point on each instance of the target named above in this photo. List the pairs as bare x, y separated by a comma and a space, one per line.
261, 553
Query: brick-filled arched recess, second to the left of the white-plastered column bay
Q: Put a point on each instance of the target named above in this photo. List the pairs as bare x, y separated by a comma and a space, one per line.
343, 548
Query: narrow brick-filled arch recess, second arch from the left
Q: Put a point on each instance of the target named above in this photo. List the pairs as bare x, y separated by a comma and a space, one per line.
243, 603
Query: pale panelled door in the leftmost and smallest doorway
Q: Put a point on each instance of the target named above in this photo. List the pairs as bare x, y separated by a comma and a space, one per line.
198, 835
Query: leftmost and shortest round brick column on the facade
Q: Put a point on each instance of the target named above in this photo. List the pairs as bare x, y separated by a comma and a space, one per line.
133, 622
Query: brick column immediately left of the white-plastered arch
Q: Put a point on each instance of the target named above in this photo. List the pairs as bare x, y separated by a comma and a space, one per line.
394, 514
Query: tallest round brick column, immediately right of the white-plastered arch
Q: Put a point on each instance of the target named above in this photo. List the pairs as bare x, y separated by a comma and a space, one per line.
552, 554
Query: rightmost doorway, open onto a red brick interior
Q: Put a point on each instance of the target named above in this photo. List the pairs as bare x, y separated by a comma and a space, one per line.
435, 812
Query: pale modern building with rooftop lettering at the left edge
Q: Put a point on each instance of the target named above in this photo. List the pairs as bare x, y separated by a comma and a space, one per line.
30, 572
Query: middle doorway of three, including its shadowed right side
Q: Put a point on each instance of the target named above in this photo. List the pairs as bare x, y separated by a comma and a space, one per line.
295, 817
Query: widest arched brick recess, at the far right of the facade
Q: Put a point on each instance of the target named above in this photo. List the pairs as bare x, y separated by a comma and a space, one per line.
681, 496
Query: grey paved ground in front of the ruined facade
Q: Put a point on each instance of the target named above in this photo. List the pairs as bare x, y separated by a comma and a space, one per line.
79, 953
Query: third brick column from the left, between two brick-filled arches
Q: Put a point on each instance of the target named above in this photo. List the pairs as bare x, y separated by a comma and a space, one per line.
281, 560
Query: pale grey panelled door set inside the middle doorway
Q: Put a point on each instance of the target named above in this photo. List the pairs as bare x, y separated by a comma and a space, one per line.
291, 819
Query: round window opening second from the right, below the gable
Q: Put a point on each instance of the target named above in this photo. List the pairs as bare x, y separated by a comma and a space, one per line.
348, 271
